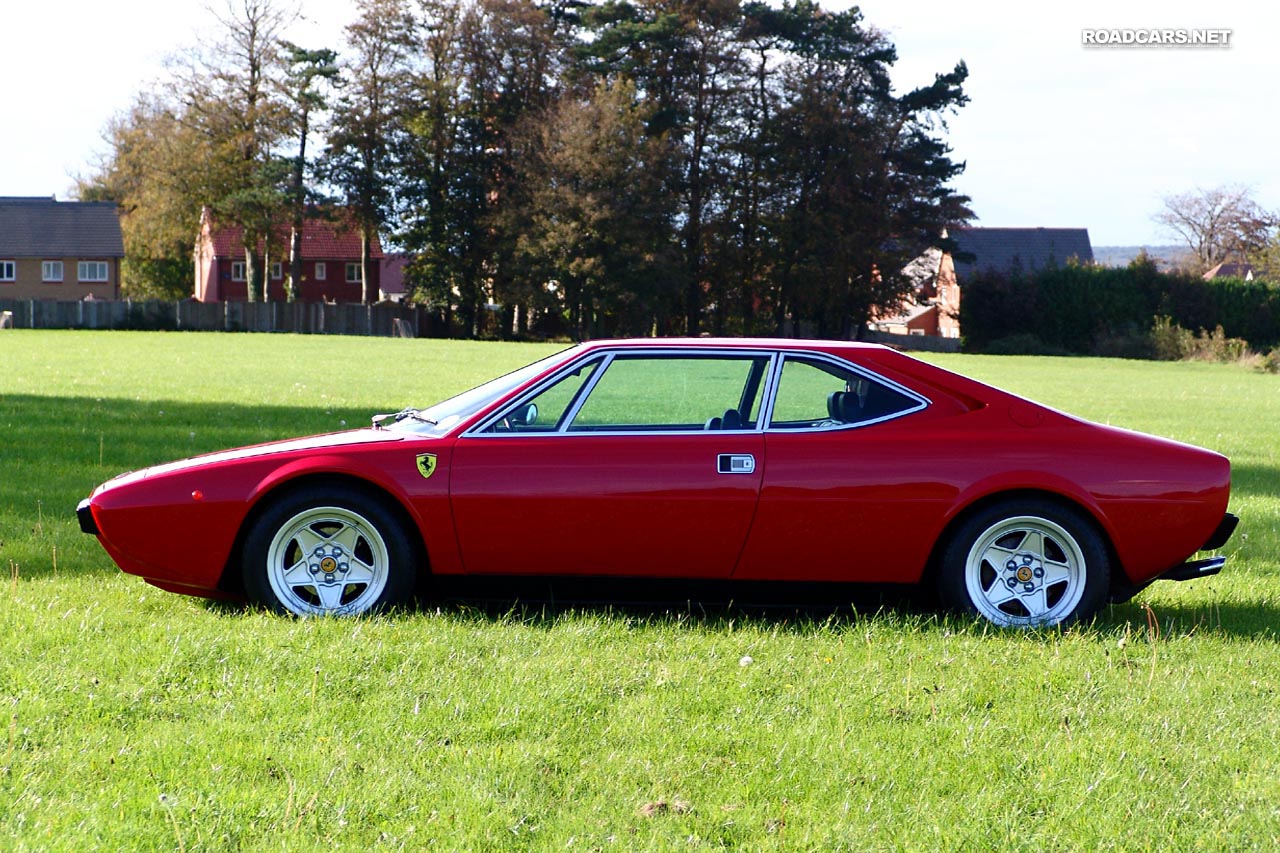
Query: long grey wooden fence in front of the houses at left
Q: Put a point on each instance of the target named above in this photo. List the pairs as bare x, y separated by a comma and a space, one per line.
385, 320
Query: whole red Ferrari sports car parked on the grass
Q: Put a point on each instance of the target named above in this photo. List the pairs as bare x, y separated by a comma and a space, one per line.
702, 459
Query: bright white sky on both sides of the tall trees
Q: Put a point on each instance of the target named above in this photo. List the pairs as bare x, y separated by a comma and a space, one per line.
1055, 135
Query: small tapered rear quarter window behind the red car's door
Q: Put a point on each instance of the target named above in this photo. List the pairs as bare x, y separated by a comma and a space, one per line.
817, 394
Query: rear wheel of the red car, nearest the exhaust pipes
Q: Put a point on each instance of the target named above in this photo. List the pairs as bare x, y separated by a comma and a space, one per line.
1026, 564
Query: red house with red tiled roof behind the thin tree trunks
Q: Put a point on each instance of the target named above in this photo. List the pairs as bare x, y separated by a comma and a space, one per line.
331, 262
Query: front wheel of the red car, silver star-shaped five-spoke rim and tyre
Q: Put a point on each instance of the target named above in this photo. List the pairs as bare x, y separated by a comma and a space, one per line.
335, 551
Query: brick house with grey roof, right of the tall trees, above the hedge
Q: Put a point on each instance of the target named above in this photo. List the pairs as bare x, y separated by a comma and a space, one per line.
935, 307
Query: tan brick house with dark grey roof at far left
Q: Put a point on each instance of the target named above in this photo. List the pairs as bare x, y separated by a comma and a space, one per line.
60, 250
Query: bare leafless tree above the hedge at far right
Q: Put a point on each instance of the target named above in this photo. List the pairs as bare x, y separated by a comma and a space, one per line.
1220, 225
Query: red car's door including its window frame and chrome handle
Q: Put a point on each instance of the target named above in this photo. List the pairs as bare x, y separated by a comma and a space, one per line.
627, 464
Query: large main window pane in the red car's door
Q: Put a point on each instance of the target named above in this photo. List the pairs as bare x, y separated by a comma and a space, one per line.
661, 394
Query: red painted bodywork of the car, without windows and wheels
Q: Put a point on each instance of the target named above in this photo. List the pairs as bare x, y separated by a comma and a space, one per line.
865, 504
